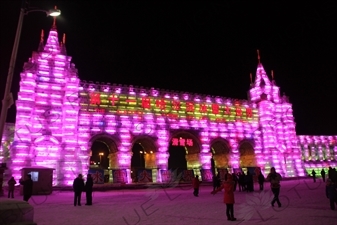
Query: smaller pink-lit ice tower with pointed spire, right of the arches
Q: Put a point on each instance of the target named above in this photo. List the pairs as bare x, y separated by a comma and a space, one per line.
277, 125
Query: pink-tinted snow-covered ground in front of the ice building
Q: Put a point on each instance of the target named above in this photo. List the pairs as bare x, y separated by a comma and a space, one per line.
303, 202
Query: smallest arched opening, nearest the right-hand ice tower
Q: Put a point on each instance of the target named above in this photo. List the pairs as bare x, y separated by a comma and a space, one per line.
247, 155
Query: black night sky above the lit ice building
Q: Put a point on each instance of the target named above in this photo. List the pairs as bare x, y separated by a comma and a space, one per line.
202, 47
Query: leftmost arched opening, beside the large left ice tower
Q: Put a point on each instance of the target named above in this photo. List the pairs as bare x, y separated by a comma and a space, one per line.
103, 155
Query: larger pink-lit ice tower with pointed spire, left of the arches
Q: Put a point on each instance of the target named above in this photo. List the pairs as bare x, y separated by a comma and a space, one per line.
47, 112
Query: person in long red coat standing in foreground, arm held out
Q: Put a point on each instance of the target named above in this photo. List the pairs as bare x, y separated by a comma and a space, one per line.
228, 185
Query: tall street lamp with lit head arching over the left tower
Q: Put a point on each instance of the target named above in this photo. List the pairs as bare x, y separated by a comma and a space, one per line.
8, 101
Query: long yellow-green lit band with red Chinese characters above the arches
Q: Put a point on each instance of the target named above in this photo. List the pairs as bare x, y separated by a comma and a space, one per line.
172, 108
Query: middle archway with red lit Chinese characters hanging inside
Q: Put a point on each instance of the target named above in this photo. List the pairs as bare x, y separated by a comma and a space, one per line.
184, 152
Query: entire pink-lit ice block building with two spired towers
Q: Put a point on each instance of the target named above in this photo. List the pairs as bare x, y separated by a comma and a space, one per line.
59, 117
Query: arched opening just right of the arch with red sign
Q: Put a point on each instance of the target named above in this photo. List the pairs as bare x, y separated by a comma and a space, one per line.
220, 155
